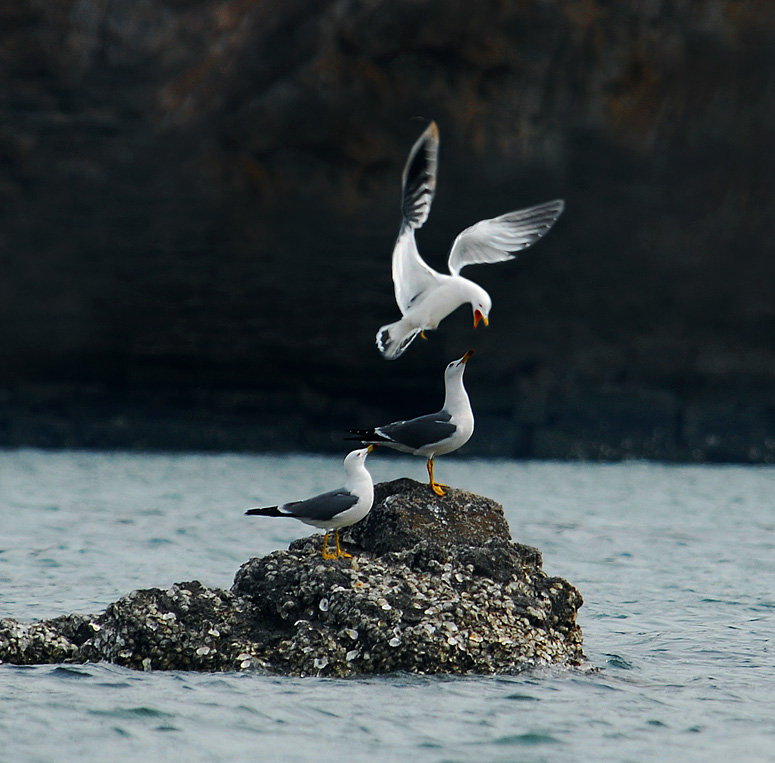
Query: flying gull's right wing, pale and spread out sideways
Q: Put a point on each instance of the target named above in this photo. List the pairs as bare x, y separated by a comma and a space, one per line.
496, 239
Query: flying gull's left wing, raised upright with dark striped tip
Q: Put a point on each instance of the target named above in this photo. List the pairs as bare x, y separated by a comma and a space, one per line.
411, 276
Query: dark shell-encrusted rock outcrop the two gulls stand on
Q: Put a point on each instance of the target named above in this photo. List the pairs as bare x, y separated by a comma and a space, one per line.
435, 585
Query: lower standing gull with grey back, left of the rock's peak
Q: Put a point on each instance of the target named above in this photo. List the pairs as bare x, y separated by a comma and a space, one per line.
335, 509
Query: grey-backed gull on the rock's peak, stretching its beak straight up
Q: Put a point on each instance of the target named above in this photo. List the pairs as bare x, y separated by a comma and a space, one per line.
435, 434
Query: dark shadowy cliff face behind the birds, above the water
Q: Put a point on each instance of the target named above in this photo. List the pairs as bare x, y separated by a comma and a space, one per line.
198, 202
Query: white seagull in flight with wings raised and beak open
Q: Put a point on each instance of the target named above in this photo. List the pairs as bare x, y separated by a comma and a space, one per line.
424, 296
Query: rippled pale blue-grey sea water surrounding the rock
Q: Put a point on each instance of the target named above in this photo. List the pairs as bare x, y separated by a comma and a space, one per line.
676, 565
